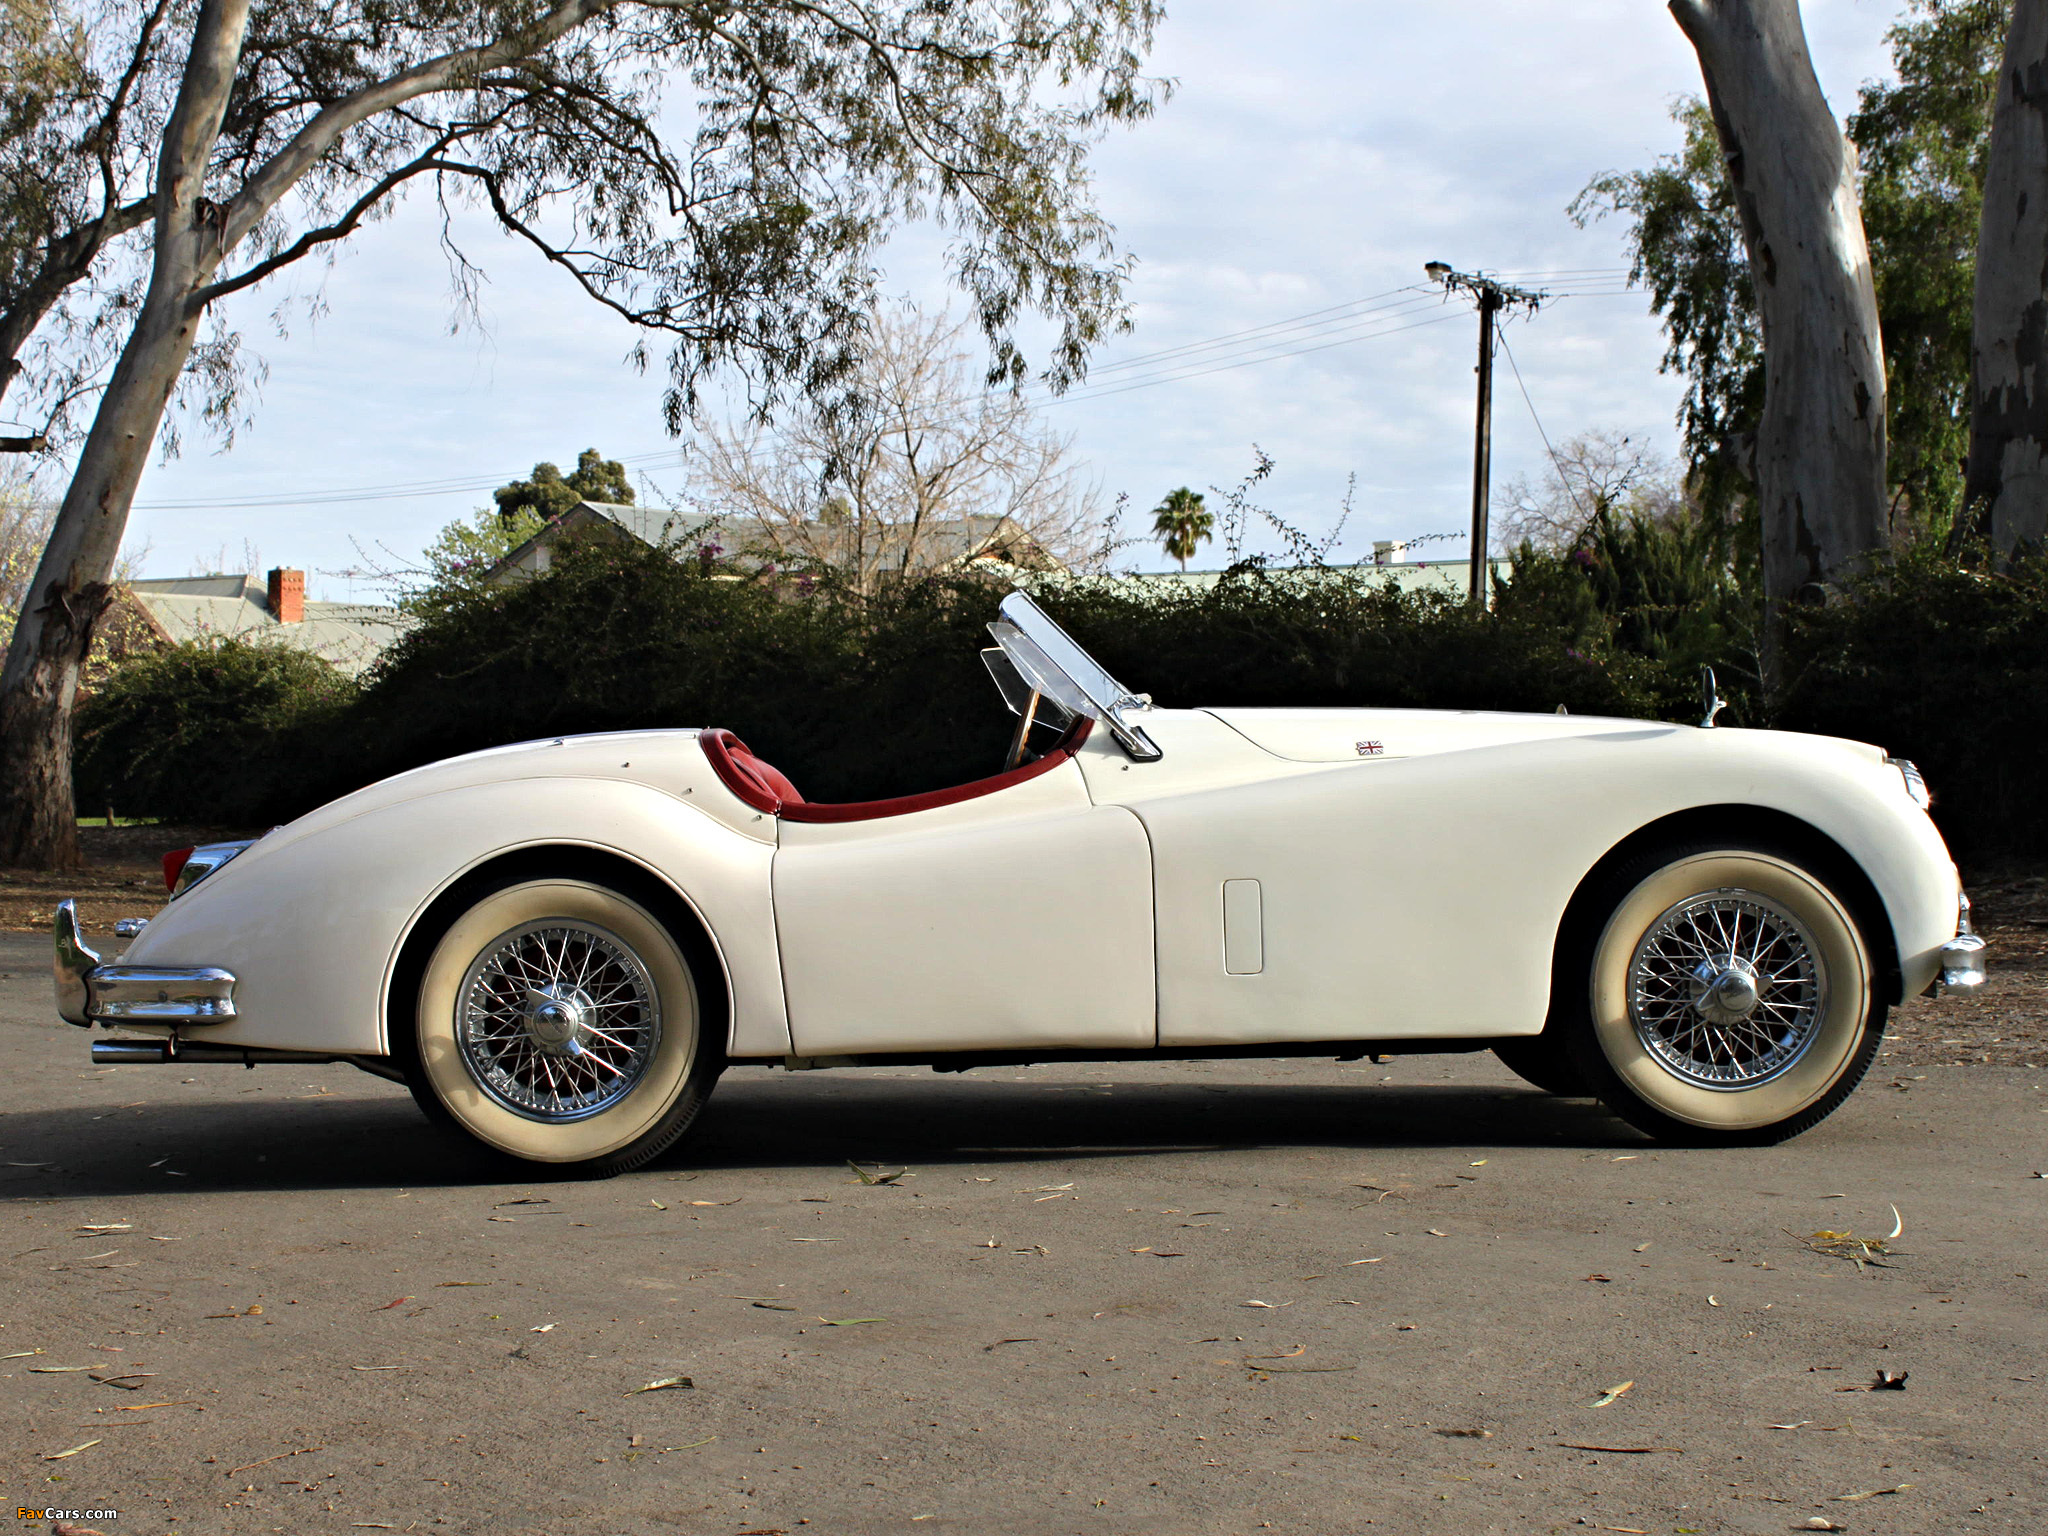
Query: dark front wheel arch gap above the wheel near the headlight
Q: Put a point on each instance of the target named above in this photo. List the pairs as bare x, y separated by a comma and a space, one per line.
1738, 822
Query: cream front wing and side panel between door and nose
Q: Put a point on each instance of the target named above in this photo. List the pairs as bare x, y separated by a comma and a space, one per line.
1422, 896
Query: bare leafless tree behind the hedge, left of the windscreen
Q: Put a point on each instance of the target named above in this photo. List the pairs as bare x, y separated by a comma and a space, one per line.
927, 468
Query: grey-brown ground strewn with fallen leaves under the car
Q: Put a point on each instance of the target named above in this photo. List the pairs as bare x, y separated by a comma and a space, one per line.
1179, 1299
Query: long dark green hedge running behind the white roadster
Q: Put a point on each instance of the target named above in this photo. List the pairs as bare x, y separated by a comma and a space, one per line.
886, 695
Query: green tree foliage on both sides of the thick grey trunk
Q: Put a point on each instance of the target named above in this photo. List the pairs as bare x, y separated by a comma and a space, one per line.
1922, 144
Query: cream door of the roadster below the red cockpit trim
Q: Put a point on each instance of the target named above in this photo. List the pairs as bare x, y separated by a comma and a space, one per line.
1015, 921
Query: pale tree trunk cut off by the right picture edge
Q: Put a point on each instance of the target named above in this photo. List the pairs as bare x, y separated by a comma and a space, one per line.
2006, 484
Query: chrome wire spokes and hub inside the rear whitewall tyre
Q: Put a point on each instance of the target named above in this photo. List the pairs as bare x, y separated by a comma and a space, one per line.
558, 1021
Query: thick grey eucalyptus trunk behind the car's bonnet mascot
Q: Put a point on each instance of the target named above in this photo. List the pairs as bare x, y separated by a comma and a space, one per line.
1822, 437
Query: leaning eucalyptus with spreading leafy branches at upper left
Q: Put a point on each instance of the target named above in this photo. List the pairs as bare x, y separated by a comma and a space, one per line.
267, 132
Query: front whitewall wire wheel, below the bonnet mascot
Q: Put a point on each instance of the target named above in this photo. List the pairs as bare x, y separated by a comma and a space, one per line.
1730, 996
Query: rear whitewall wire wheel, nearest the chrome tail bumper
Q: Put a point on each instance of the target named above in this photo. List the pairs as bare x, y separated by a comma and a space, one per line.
560, 1021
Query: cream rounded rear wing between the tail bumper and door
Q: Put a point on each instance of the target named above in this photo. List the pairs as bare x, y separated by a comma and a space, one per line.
314, 931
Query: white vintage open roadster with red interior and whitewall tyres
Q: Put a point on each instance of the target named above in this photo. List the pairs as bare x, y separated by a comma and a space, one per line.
560, 945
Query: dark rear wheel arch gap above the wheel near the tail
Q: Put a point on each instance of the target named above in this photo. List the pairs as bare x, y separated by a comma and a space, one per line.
577, 861
